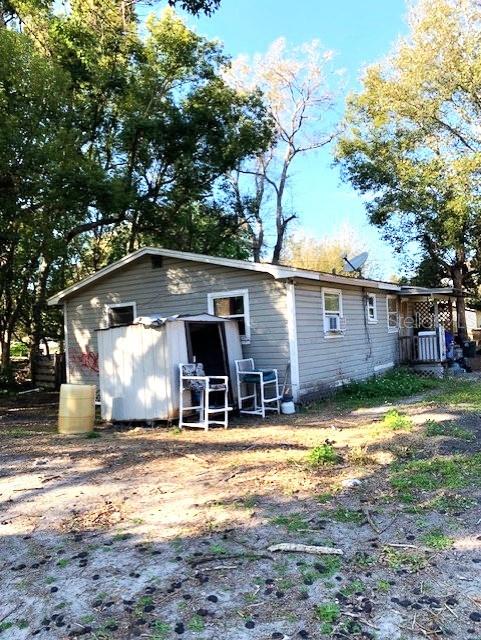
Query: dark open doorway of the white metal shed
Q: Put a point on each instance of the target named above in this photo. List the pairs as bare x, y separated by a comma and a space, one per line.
207, 345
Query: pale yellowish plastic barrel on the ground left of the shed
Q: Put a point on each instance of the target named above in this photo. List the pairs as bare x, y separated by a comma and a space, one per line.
76, 412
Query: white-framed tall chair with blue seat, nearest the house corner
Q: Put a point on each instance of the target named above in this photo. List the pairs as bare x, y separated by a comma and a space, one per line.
248, 376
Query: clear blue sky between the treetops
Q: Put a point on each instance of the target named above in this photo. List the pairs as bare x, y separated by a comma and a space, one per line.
359, 32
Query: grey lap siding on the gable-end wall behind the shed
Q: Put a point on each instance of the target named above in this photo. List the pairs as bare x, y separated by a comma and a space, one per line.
177, 287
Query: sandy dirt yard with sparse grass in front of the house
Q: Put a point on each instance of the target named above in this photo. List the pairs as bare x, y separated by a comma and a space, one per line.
152, 533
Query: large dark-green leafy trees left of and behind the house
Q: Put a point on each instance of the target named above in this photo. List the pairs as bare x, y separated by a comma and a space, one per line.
108, 132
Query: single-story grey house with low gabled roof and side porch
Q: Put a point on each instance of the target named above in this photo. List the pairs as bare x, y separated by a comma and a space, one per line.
328, 329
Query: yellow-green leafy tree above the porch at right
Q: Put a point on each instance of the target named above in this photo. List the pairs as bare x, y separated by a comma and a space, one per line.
413, 143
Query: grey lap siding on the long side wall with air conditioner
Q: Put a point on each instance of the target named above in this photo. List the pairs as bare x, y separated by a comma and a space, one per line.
363, 347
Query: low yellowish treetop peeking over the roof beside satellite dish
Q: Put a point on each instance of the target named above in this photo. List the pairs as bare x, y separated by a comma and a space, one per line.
326, 254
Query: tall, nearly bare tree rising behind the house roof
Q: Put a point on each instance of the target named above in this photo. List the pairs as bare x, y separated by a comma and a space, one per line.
294, 85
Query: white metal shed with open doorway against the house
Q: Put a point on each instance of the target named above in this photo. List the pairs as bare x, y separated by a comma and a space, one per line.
139, 362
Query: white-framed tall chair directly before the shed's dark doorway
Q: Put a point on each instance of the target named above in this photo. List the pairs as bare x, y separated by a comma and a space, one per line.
192, 378
